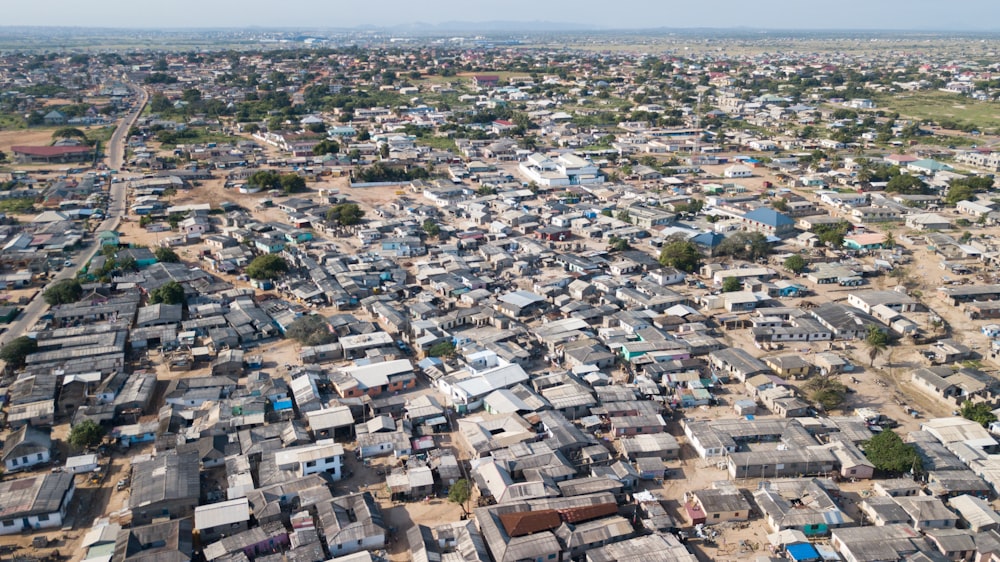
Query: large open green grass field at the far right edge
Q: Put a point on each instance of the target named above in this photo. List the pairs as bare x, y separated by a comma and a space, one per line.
938, 105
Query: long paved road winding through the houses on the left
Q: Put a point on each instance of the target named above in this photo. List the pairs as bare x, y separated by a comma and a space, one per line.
116, 210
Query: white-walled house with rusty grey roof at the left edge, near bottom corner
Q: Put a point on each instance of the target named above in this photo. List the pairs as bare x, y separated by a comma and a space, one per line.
37, 502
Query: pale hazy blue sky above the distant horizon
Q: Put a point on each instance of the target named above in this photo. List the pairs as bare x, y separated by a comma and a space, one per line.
979, 15
